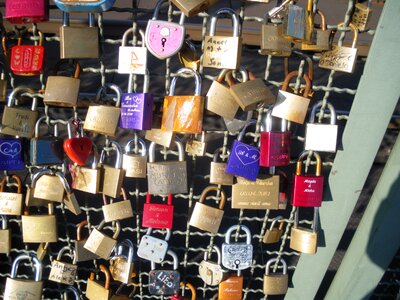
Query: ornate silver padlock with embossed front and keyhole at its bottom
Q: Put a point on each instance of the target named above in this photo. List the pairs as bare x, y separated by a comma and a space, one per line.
237, 256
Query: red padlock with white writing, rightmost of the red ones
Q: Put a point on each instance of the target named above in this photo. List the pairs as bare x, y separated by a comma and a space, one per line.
307, 189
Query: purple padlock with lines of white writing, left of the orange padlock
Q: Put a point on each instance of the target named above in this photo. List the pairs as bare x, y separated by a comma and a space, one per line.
137, 108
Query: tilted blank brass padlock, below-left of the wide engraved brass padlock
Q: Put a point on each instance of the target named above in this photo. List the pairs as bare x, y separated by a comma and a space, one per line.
206, 217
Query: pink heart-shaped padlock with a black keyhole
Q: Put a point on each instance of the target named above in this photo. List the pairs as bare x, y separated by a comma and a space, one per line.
164, 39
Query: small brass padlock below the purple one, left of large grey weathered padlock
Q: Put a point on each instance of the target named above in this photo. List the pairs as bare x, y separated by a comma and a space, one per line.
135, 165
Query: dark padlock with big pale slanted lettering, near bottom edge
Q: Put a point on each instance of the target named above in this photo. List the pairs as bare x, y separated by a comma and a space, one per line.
164, 282
